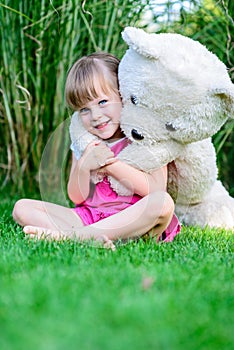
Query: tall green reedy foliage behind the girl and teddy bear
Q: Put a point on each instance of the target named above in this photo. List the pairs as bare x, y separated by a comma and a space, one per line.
41, 39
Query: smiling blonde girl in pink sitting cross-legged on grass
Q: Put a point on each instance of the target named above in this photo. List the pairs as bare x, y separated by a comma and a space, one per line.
100, 213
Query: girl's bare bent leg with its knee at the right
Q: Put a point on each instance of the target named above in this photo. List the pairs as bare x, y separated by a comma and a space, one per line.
155, 210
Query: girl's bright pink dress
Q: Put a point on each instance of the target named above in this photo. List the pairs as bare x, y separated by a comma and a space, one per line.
103, 202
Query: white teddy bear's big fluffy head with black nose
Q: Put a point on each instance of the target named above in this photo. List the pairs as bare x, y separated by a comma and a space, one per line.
172, 88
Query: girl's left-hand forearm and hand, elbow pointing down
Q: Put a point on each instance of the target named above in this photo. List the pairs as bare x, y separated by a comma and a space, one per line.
95, 155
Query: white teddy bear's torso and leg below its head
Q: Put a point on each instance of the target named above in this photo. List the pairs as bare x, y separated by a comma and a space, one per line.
201, 199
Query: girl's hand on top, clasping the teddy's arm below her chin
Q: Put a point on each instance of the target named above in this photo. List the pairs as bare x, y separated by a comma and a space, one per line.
97, 155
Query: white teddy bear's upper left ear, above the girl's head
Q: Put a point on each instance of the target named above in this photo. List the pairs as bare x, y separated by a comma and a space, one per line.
140, 41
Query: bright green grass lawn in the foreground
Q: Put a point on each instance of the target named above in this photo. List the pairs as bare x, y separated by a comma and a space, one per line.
64, 295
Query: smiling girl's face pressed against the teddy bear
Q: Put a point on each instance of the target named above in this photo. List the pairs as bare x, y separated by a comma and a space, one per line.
101, 116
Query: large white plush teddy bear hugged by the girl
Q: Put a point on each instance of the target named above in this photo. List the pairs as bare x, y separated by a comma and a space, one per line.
176, 95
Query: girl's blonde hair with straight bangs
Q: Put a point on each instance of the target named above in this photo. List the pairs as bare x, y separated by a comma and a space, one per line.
90, 74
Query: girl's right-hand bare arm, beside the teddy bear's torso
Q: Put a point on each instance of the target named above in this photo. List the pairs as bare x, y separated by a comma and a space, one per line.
138, 181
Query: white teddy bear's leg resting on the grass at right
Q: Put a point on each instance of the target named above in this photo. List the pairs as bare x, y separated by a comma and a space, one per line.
216, 210
